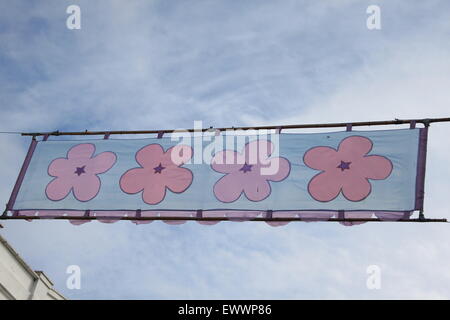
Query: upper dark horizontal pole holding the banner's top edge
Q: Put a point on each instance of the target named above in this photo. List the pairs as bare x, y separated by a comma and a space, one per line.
426, 122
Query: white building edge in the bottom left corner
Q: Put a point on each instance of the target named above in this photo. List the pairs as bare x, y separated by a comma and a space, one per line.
19, 282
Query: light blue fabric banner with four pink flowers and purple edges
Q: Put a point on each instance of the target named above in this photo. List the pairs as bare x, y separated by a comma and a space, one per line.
315, 176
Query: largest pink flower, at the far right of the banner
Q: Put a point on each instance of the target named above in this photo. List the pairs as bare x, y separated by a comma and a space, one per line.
347, 169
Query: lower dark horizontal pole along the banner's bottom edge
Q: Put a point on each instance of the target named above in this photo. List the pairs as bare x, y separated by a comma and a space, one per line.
281, 219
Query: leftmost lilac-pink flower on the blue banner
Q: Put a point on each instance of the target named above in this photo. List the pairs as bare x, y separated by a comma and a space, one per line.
78, 173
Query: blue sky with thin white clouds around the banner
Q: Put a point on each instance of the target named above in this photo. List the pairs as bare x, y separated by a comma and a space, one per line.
165, 64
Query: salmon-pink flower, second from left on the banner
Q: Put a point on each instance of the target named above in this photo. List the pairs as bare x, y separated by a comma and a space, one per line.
159, 171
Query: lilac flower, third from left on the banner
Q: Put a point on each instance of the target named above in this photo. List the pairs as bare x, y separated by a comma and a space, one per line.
248, 172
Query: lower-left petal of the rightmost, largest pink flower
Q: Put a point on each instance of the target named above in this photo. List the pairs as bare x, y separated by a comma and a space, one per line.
324, 186
